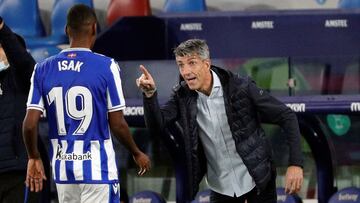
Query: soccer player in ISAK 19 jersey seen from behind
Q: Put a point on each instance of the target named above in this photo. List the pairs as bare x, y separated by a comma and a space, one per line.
83, 98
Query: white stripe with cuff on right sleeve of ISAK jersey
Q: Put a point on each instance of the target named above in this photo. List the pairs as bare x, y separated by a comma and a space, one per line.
115, 70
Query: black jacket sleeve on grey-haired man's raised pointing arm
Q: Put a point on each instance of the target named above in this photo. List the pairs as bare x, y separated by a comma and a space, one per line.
156, 118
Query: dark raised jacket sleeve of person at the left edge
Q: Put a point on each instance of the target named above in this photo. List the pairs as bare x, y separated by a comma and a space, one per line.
21, 62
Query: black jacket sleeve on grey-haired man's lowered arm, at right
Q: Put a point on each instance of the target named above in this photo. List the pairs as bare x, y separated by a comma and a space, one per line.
271, 110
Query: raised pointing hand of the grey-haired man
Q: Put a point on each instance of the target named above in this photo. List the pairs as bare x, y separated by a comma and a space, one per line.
145, 82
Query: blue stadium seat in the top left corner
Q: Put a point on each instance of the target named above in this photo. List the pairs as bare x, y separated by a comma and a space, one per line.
23, 17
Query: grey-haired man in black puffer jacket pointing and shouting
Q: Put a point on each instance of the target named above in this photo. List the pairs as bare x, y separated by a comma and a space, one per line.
220, 115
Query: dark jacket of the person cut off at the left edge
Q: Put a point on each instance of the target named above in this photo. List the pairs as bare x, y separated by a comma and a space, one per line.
15, 84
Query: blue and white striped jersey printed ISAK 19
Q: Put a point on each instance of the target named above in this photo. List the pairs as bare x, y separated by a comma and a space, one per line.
77, 88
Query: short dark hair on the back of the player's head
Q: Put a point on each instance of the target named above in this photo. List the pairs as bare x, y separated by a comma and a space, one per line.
80, 17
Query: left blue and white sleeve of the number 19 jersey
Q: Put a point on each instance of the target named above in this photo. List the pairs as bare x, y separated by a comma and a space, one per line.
35, 100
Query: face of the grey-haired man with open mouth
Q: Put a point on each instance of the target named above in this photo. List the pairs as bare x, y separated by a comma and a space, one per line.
196, 72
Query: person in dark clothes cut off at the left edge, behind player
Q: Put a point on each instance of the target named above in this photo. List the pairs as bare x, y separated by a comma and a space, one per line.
16, 66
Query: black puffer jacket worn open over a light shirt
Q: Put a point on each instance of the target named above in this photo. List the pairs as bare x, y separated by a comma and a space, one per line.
246, 107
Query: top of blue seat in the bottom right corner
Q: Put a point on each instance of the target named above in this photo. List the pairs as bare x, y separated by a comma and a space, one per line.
350, 194
